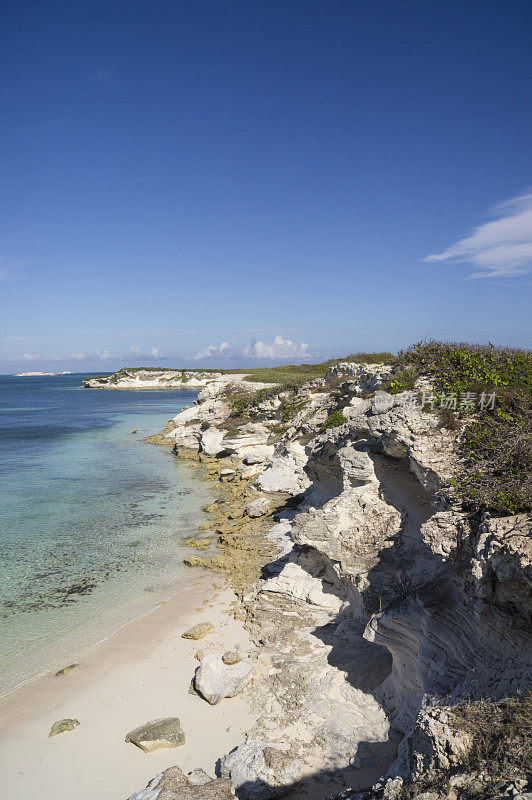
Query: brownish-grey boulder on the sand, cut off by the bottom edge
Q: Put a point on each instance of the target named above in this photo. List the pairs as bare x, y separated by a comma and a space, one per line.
172, 784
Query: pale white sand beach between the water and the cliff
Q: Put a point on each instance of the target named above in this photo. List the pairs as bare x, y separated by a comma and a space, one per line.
141, 673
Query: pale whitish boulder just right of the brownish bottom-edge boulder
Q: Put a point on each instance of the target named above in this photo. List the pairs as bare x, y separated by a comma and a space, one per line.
259, 771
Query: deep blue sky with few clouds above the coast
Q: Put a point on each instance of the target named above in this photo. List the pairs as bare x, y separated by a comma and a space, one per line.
218, 182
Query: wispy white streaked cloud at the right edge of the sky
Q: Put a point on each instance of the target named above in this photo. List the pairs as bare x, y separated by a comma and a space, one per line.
499, 248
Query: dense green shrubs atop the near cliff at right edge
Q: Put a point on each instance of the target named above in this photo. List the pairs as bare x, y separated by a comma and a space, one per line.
497, 443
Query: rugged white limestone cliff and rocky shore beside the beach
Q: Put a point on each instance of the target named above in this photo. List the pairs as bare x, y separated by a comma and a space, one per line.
373, 601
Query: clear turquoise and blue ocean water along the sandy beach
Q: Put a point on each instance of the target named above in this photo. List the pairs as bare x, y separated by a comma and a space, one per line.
92, 519
